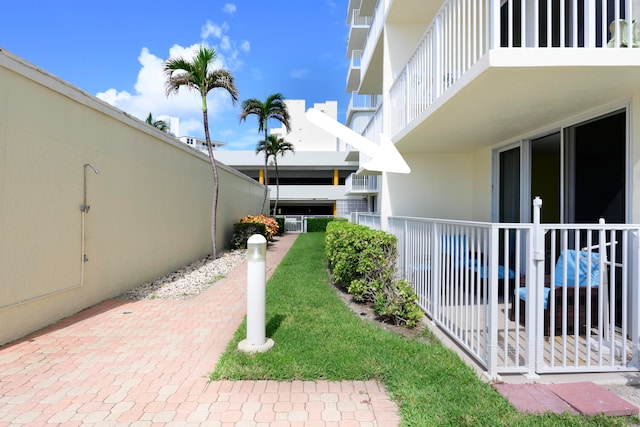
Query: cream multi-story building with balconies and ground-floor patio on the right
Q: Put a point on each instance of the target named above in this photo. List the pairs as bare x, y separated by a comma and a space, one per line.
492, 103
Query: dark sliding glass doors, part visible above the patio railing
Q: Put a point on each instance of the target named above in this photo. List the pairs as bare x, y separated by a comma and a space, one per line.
579, 172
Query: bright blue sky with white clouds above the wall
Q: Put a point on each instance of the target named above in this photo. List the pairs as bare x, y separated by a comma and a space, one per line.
115, 49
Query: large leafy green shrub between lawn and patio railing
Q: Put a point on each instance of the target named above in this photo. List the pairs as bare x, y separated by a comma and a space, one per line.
363, 261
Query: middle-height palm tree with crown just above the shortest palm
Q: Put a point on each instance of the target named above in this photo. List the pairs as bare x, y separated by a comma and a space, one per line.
273, 107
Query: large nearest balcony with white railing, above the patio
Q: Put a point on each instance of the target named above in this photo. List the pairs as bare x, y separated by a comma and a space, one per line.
518, 68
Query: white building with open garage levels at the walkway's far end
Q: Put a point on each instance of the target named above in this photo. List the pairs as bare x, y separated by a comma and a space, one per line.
317, 178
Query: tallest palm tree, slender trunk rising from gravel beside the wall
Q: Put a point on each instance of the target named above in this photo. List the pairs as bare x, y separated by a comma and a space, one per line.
198, 75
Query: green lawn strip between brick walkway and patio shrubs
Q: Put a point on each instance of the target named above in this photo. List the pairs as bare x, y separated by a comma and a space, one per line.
318, 337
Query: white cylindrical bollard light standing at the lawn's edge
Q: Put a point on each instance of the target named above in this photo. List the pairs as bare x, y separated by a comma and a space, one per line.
256, 341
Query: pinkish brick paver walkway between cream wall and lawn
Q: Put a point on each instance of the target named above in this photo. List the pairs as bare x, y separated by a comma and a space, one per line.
146, 363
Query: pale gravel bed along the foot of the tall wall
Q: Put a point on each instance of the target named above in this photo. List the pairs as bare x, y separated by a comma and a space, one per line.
189, 280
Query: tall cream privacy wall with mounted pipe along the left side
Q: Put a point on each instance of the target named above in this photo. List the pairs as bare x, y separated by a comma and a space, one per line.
147, 208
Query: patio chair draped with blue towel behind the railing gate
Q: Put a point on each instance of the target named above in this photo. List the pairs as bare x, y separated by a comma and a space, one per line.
586, 283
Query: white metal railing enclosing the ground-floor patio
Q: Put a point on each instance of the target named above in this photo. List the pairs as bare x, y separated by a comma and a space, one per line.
505, 294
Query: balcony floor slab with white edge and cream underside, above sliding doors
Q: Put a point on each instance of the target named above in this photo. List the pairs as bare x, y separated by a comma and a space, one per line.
513, 93
